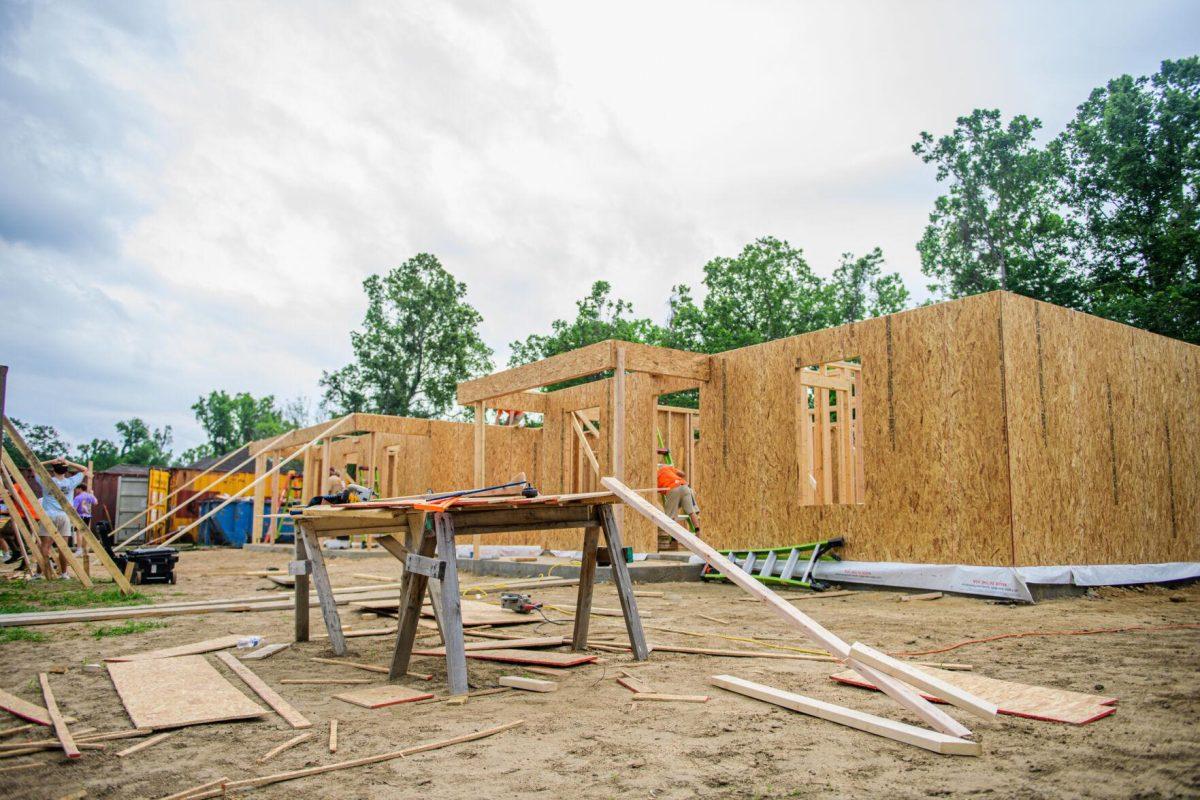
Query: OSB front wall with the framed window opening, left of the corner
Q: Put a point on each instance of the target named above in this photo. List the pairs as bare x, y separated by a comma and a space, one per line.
937, 468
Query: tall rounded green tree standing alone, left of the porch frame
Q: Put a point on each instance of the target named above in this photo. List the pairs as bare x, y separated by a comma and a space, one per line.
419, 339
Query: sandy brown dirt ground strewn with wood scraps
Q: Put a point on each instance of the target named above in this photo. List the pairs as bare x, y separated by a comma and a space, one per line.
589, 739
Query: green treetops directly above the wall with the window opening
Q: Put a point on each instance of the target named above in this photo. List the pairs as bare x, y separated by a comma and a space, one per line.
770, 292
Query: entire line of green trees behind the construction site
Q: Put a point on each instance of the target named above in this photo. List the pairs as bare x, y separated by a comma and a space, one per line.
1105, 218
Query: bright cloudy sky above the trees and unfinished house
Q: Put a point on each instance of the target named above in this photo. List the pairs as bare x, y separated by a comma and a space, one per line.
191, 194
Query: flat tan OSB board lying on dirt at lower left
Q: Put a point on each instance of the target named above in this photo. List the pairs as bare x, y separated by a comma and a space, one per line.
176, 693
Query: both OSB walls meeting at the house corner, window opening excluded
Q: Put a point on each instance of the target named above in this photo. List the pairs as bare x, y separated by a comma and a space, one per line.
1088, 453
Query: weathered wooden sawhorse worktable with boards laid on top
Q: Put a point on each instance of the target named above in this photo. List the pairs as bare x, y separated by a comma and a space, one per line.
430, 567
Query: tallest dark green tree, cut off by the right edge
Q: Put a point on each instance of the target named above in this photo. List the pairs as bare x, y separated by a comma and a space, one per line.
1131, 161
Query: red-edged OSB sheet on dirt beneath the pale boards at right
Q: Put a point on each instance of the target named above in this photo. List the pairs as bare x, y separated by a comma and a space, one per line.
1027, 701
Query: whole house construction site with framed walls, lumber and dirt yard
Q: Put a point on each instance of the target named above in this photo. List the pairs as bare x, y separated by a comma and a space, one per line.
940, 552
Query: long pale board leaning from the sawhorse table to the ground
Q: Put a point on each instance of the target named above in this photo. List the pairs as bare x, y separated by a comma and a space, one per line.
836, 646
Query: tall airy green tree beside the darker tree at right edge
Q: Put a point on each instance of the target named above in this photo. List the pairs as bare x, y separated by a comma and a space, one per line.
999, 227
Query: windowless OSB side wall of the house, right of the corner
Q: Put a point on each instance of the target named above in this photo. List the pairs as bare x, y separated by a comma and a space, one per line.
1105, 434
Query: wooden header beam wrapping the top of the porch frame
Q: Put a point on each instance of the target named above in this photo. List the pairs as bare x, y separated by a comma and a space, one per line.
587, 360
